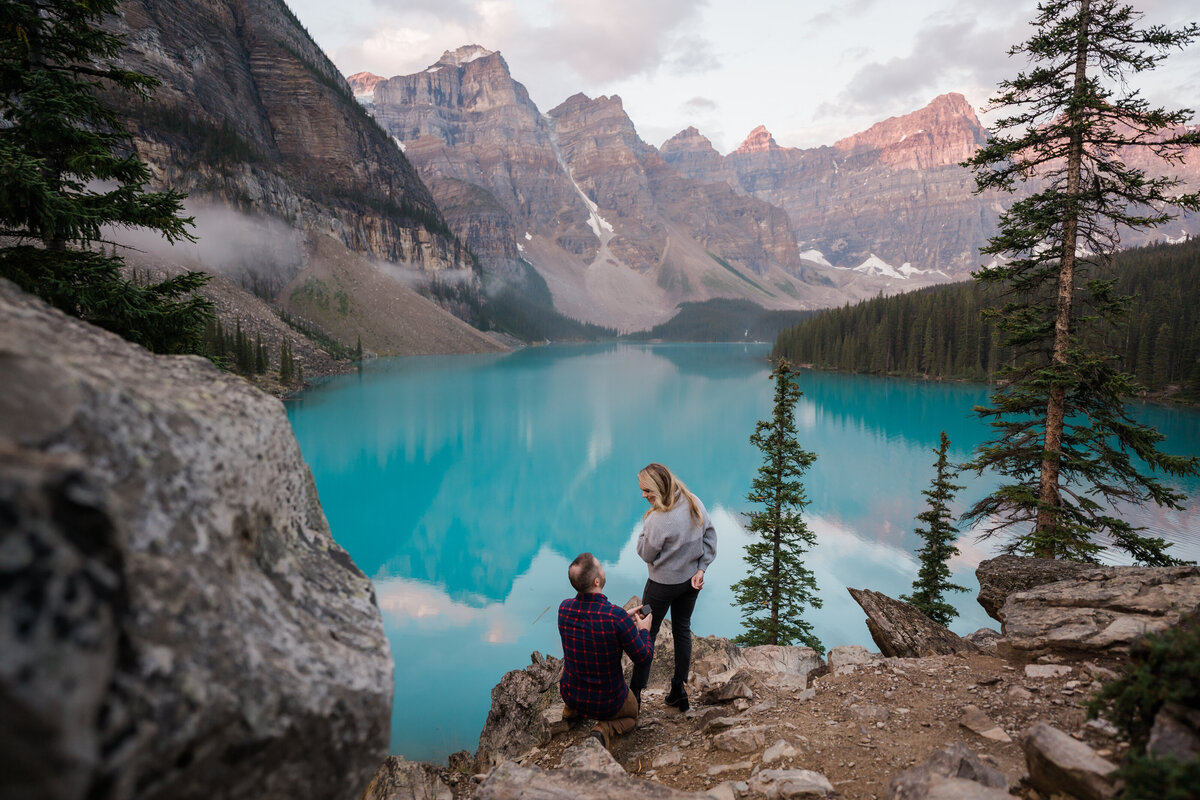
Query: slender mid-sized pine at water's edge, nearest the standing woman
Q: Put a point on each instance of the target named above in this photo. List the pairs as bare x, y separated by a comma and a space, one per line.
778, 586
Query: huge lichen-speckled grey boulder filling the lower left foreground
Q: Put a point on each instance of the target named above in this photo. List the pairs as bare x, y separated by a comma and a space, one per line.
176, 621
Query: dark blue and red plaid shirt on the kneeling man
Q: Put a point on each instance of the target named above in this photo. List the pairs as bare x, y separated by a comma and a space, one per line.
595, 635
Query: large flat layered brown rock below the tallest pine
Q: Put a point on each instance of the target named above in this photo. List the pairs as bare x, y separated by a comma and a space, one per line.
1099, 612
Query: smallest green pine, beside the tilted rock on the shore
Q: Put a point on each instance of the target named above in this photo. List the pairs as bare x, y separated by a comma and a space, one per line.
934, 578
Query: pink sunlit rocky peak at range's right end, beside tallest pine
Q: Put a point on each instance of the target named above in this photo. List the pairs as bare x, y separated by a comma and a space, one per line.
945, 133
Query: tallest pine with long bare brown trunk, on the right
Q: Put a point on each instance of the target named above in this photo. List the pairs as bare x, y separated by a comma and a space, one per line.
1064, 436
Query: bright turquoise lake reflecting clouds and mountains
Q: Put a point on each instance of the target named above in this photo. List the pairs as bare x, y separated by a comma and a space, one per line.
465, 485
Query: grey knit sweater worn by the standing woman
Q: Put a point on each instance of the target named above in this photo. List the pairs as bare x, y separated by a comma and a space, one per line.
675, 545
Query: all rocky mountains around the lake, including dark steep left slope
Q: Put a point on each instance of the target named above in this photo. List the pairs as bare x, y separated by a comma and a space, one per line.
454, 183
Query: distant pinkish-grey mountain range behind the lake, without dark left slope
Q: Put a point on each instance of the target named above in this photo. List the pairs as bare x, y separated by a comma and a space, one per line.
622, 232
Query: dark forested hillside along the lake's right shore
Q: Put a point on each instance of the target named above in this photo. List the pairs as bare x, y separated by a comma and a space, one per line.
939, 333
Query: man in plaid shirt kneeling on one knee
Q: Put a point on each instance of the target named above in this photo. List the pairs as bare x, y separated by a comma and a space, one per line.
595, 635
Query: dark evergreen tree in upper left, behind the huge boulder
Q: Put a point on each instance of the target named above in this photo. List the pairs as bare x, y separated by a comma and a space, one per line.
68, 171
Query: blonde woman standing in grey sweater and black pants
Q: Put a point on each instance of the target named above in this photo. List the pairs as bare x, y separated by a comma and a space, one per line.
677, 543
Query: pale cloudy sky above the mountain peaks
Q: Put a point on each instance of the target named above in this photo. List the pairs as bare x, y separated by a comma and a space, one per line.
812, 71
